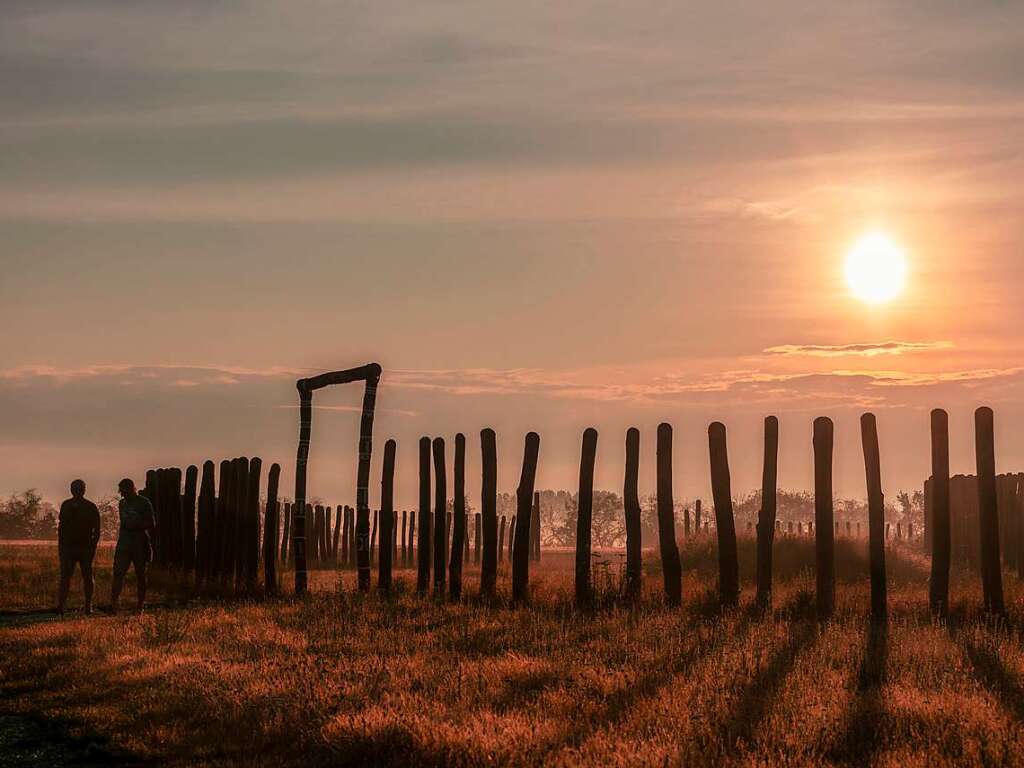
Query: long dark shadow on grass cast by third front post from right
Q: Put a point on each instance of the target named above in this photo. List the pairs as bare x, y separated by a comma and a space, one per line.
860, 742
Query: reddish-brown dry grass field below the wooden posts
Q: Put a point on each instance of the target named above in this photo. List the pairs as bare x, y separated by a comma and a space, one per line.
342, 679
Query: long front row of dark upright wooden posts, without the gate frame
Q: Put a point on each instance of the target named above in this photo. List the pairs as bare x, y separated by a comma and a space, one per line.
225, 544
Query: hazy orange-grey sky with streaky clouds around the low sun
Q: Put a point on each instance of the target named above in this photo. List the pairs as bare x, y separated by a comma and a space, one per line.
535, 217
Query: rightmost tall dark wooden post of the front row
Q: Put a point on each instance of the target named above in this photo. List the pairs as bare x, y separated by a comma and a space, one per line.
989, 520
